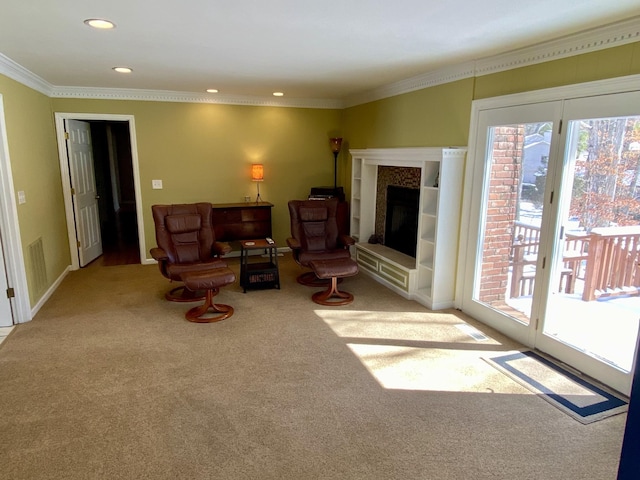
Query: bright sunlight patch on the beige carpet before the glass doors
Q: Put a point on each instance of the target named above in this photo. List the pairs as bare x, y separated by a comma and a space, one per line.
419, 351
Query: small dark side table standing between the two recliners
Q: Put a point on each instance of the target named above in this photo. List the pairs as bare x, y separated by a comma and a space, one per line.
260, 274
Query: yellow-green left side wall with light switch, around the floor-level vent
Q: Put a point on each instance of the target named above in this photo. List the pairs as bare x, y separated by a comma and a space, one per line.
36, 171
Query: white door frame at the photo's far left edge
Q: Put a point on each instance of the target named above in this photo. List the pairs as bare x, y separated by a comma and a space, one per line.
10, 227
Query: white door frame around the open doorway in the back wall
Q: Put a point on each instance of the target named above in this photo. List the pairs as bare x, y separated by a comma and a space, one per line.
66, 182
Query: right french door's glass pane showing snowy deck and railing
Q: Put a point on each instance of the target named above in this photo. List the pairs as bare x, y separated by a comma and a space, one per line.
593, 306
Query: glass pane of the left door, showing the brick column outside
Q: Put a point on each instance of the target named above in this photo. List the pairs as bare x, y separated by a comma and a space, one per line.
517, 162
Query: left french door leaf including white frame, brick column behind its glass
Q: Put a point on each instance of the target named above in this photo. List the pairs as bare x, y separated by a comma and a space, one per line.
513, 150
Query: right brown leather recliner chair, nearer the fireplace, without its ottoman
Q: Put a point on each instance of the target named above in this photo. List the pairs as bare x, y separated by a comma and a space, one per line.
315, 235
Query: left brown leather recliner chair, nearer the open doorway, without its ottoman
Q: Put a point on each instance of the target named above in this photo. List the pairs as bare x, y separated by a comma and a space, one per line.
186, 244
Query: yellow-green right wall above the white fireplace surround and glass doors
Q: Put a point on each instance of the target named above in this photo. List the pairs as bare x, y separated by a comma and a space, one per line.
440, 115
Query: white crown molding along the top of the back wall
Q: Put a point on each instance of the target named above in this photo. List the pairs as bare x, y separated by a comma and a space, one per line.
190, 97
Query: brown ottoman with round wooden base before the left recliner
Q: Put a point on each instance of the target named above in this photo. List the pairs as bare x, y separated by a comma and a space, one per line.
210, 281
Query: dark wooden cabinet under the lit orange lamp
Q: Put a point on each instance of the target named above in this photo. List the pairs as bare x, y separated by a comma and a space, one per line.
241, 221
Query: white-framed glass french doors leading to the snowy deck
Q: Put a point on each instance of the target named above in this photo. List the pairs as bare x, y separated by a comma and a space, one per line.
555, 221
